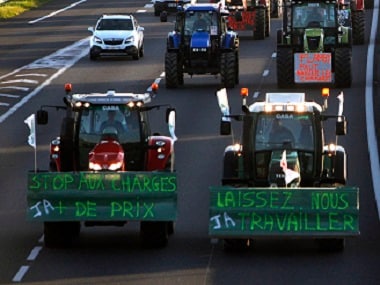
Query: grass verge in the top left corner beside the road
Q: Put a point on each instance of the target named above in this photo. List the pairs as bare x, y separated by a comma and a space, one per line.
13, 8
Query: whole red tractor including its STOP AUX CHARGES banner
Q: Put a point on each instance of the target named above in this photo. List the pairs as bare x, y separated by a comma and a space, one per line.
106, 168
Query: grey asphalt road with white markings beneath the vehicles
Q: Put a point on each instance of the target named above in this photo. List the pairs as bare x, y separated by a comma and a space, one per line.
113, 255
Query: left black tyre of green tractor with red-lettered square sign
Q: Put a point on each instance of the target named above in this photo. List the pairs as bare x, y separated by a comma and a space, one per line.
285, 67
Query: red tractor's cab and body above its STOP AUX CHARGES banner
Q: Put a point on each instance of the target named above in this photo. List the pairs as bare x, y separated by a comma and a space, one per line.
109, 131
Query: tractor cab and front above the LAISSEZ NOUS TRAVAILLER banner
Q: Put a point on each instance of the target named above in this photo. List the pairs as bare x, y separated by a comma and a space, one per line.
282, 140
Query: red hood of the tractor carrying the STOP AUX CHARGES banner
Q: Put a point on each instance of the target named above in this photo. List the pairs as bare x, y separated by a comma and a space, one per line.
107, 155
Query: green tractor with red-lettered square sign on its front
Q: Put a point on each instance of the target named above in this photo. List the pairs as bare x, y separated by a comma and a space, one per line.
314, 46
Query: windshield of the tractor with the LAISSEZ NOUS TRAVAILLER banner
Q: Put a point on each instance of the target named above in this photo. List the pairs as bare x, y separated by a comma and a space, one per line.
278, 131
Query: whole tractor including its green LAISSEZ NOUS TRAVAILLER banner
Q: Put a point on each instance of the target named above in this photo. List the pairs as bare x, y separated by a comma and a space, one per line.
283, 179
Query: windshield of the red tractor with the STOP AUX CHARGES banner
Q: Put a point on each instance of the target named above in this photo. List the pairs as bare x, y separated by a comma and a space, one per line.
120, 122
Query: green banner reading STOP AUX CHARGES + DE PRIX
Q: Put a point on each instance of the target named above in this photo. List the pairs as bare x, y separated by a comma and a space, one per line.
103, 196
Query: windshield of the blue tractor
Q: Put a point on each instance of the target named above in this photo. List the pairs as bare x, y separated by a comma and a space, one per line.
198, 21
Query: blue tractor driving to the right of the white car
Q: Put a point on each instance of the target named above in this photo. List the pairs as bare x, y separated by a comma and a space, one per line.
201, 43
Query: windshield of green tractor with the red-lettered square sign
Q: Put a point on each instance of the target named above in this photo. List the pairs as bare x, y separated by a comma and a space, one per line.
314, 15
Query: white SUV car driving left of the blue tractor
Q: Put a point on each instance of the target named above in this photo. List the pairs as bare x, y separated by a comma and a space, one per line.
117, 35
